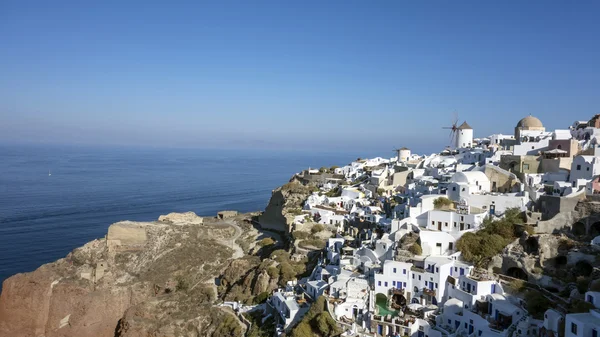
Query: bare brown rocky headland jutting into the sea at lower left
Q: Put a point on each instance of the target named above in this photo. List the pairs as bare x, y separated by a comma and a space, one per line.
143, 279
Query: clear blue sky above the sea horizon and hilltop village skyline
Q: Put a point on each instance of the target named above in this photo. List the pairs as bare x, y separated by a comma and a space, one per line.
341, 75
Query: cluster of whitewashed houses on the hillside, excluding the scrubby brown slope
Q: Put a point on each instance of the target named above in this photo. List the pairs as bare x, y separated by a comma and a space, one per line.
374, 288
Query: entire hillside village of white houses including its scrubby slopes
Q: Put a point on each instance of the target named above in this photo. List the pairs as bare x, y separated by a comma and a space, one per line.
495, 237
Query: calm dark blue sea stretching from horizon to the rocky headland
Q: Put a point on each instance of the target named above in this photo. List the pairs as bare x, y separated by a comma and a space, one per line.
43, 217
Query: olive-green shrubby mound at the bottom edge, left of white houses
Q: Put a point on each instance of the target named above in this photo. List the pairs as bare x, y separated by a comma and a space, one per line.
317, 322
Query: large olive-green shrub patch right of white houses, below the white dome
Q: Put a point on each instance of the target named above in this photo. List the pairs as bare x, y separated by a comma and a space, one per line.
479, 247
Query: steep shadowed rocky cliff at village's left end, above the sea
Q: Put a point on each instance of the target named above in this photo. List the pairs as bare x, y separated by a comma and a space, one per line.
286, 201
